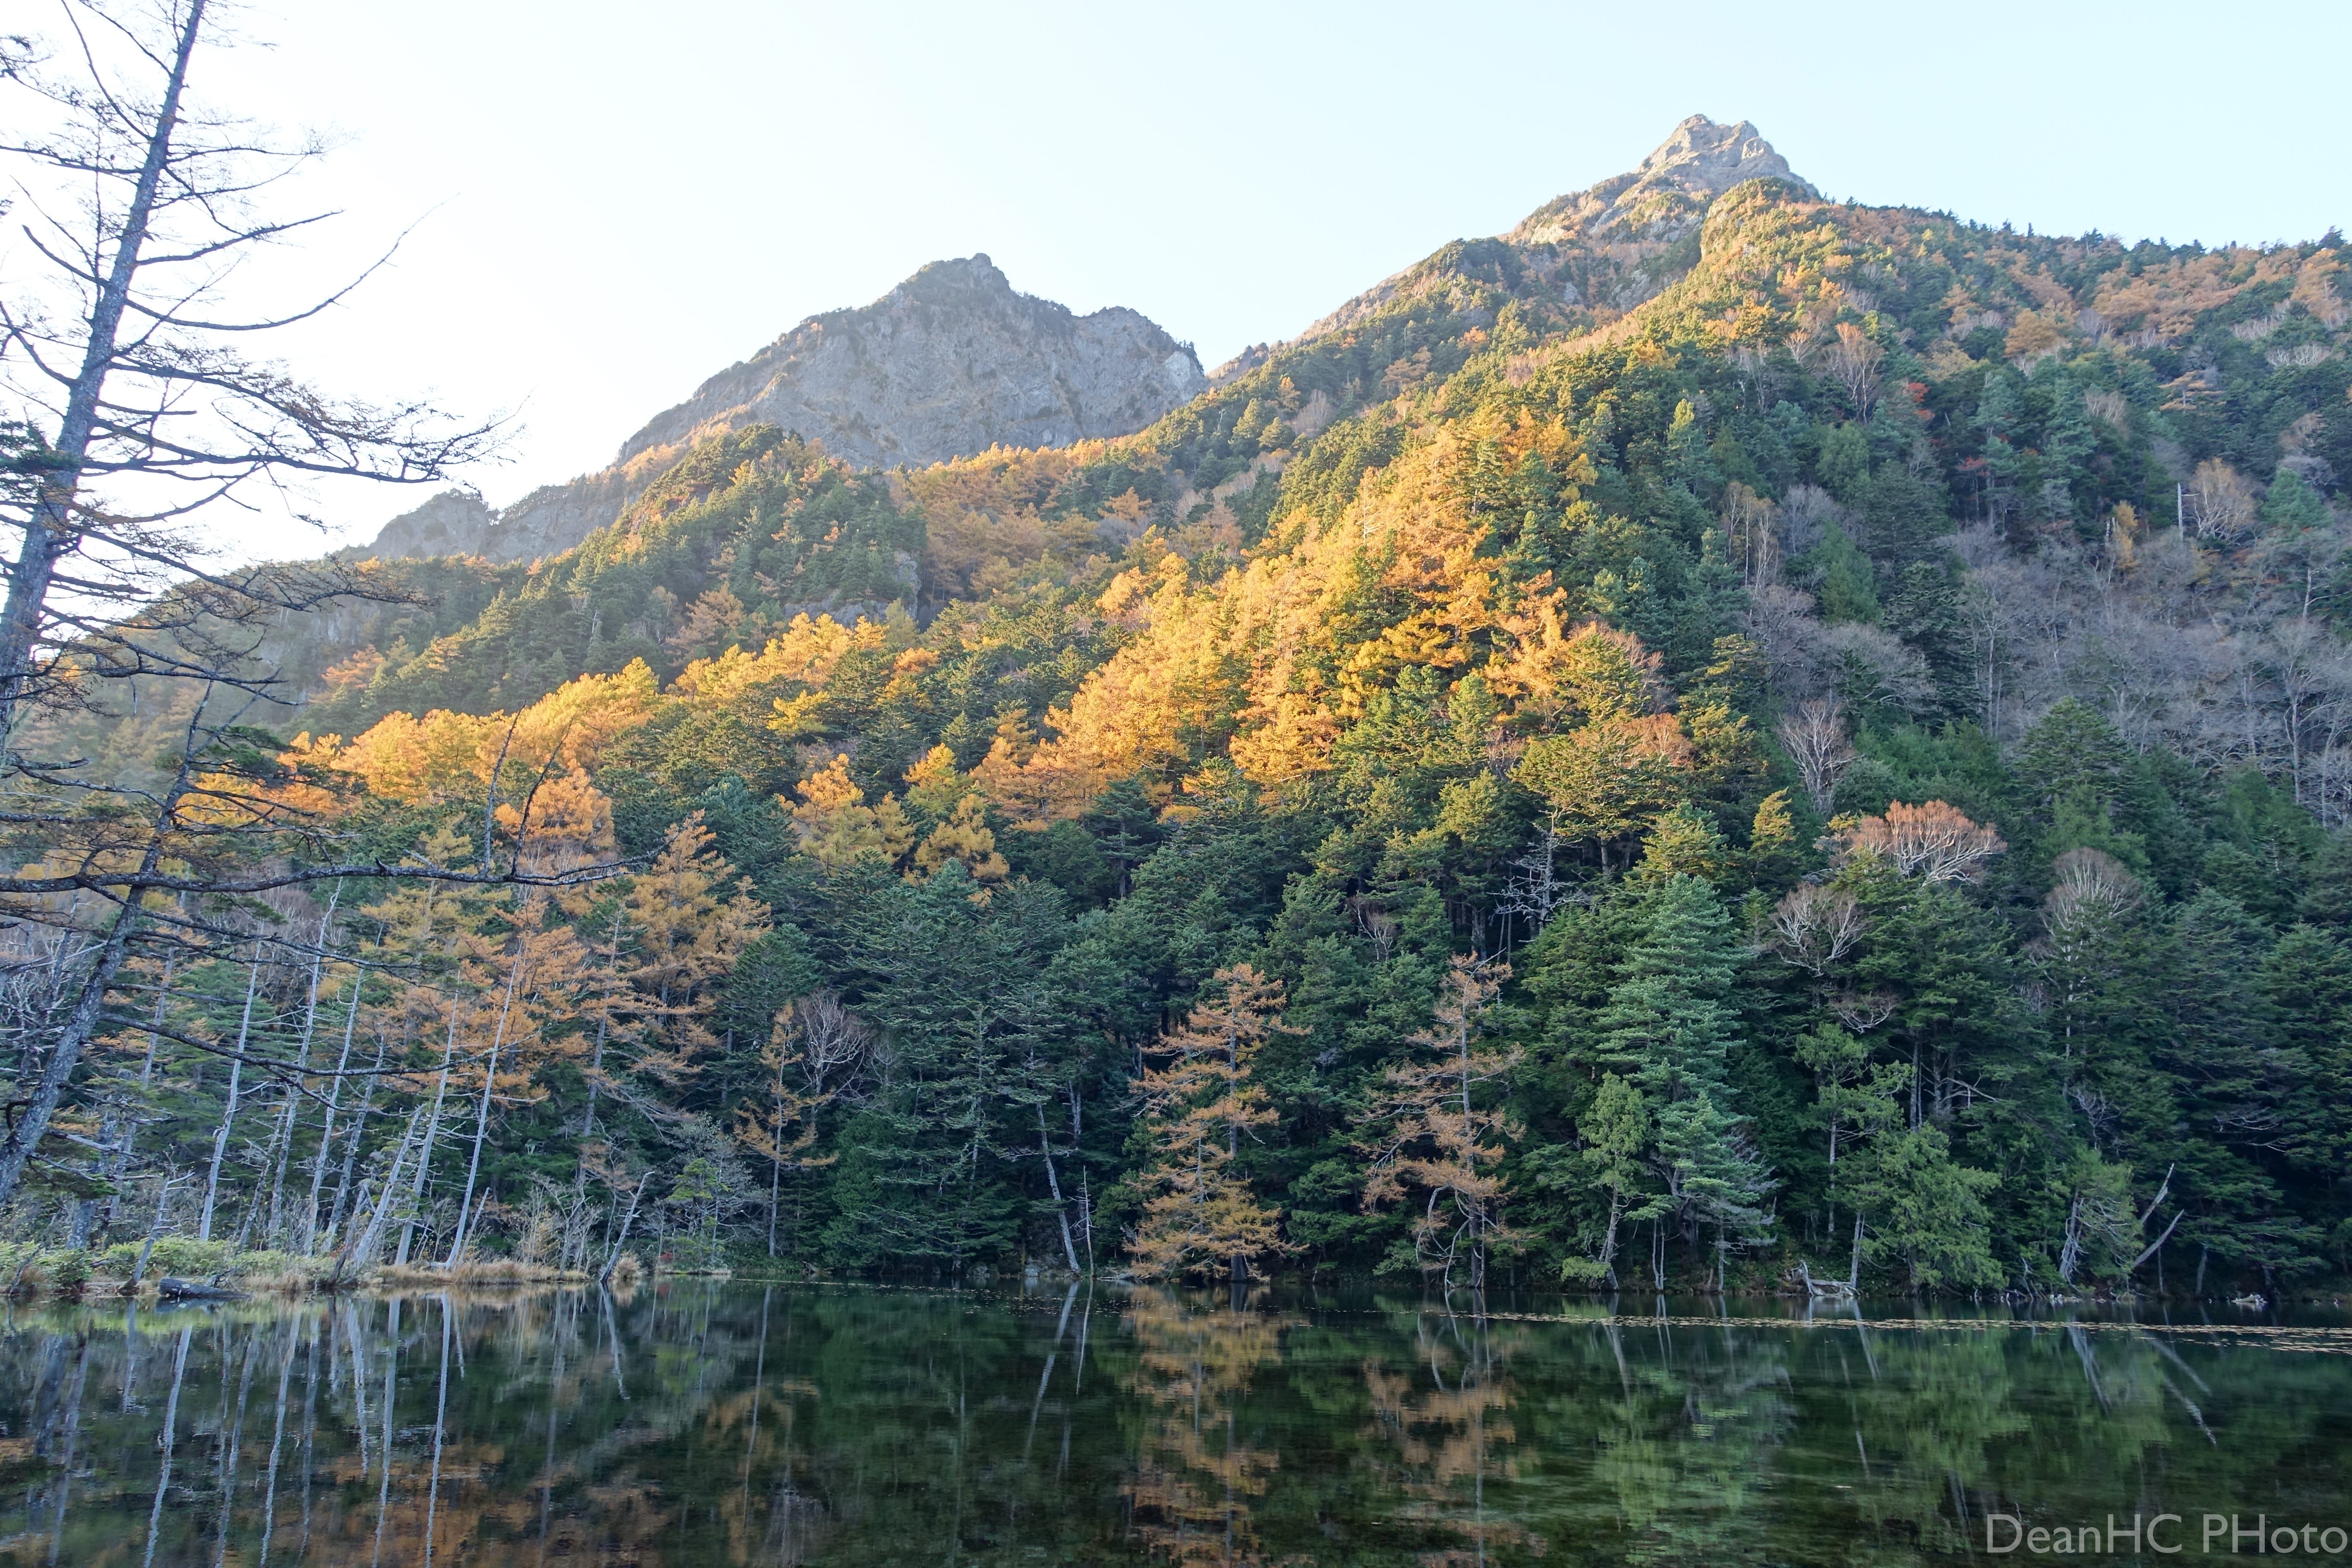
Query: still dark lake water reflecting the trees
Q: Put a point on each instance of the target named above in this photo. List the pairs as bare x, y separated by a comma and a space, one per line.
726, 1423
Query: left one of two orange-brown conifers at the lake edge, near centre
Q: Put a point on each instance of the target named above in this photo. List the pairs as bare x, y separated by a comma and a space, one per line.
1201, 1104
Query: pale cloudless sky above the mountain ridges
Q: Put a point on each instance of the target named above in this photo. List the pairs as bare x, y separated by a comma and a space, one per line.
624, 199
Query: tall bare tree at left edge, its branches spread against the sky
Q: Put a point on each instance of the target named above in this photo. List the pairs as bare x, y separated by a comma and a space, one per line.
138, 408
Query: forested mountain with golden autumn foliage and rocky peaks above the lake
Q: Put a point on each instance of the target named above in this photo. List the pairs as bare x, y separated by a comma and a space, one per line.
1784, 711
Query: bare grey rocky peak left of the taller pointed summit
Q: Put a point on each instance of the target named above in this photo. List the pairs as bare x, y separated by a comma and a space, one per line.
949, 363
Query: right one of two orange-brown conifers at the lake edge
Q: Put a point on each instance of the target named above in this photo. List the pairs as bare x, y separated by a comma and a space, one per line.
1441, 1132
